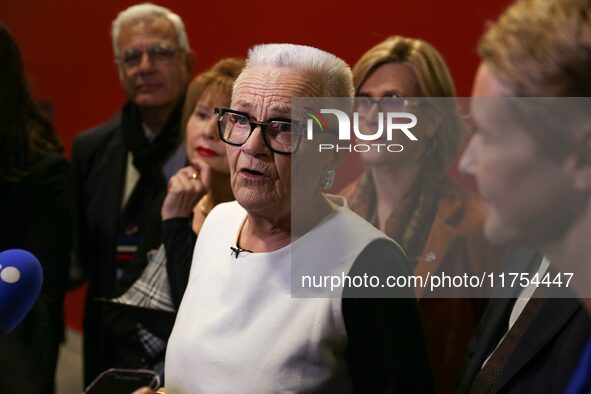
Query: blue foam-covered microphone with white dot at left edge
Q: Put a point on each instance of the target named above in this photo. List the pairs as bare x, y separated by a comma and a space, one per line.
21, 278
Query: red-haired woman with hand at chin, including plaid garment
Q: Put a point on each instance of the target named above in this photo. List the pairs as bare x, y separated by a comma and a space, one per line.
157, 277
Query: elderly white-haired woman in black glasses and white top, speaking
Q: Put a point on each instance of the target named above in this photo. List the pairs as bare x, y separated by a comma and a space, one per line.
240, 327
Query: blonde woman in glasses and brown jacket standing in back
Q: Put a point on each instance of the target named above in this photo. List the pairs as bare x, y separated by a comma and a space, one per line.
410, 195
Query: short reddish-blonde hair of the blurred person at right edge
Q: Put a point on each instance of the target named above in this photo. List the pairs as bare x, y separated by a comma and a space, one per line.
542, 48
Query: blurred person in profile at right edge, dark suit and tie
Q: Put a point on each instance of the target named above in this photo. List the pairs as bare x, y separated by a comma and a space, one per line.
531, 162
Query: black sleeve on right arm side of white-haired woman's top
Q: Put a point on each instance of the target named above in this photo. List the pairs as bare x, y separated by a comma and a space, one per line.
386, 350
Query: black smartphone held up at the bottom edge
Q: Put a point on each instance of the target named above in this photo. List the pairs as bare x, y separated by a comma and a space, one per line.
123, 381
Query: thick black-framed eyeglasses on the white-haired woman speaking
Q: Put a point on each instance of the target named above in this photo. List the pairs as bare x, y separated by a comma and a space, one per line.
281, 135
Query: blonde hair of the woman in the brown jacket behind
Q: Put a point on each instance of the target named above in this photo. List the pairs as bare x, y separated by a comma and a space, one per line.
432, 77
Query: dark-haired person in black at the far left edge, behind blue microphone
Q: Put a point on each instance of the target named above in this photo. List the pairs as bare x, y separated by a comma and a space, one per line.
36, 215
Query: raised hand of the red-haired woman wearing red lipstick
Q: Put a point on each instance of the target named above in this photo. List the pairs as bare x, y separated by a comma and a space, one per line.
185, 189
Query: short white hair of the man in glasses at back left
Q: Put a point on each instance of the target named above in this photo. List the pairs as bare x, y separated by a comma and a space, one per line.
148, 10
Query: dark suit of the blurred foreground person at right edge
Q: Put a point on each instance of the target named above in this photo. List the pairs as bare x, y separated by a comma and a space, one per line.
545, 356
